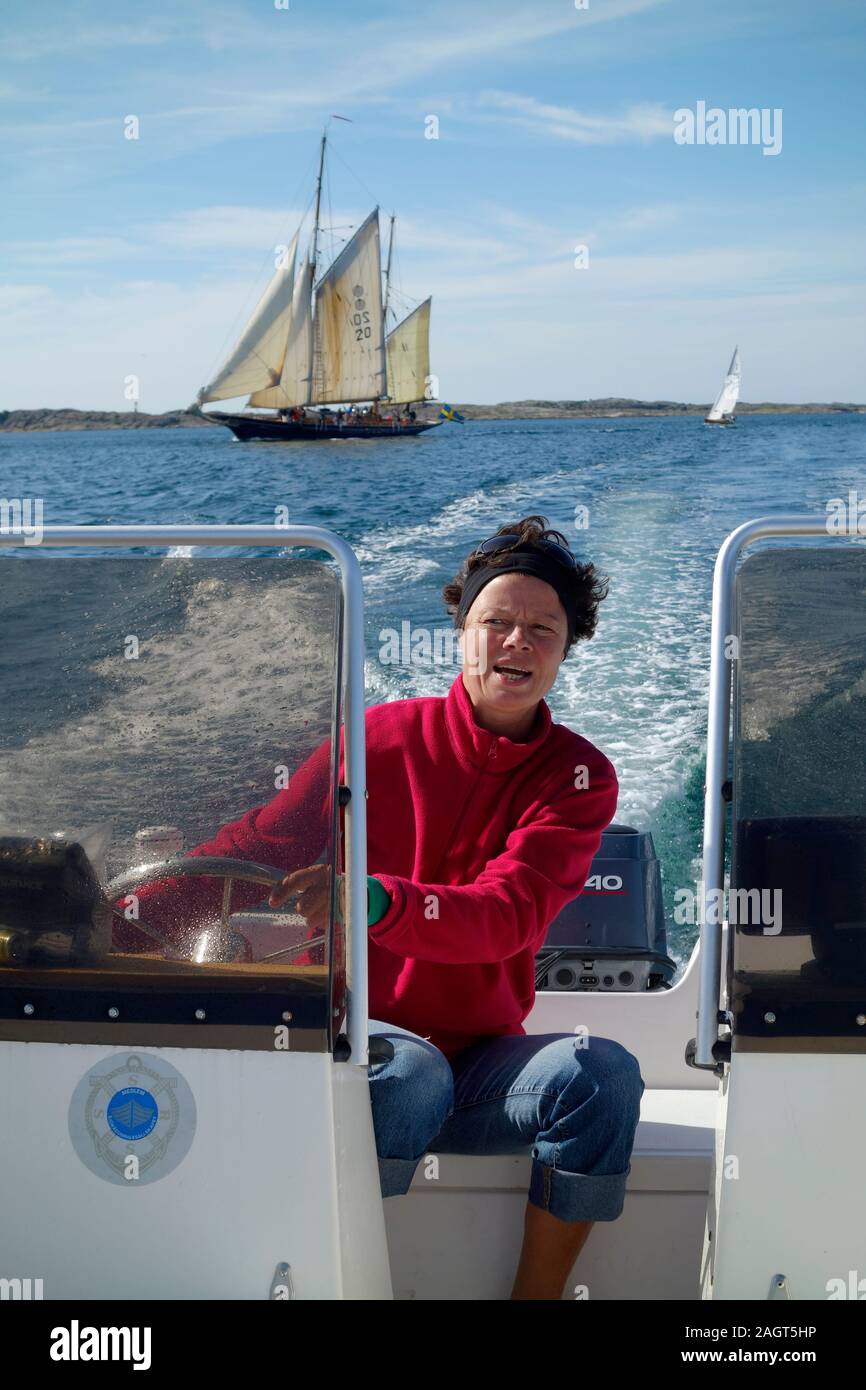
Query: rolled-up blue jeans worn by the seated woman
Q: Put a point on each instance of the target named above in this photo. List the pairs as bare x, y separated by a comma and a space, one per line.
571, 1102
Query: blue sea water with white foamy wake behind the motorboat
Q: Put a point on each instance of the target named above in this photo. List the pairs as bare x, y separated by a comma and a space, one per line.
648, 501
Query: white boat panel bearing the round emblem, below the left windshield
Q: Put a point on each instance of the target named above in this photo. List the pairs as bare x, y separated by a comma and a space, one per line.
283, 1168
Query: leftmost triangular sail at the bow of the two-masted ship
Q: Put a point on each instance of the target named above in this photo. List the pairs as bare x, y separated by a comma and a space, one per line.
259, 355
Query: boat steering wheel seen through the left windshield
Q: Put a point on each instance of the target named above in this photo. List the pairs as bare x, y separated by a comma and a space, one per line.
224, 942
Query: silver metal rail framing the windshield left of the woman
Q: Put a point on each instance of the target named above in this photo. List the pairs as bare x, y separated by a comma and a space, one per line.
318, 539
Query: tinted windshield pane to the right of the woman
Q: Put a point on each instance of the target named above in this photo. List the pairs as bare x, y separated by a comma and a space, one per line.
799, 874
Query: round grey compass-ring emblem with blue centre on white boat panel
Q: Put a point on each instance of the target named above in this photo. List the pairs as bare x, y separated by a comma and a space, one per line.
133, 1118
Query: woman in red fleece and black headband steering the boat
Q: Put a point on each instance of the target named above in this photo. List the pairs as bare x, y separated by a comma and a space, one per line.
484, 818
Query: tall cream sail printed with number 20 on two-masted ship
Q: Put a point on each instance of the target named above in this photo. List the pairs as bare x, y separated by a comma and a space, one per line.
350, 323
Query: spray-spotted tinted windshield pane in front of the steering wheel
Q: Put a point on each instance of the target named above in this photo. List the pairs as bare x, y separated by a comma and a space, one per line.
172, 712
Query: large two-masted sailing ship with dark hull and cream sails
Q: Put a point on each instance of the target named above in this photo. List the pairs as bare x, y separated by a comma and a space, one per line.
318, 348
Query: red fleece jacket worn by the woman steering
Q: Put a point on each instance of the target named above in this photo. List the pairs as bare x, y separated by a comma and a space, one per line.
479, 840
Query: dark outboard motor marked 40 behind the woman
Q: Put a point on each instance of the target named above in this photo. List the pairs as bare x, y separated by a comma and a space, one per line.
612, 938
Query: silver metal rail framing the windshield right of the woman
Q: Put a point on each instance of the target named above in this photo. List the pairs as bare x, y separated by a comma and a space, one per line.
718, 749
